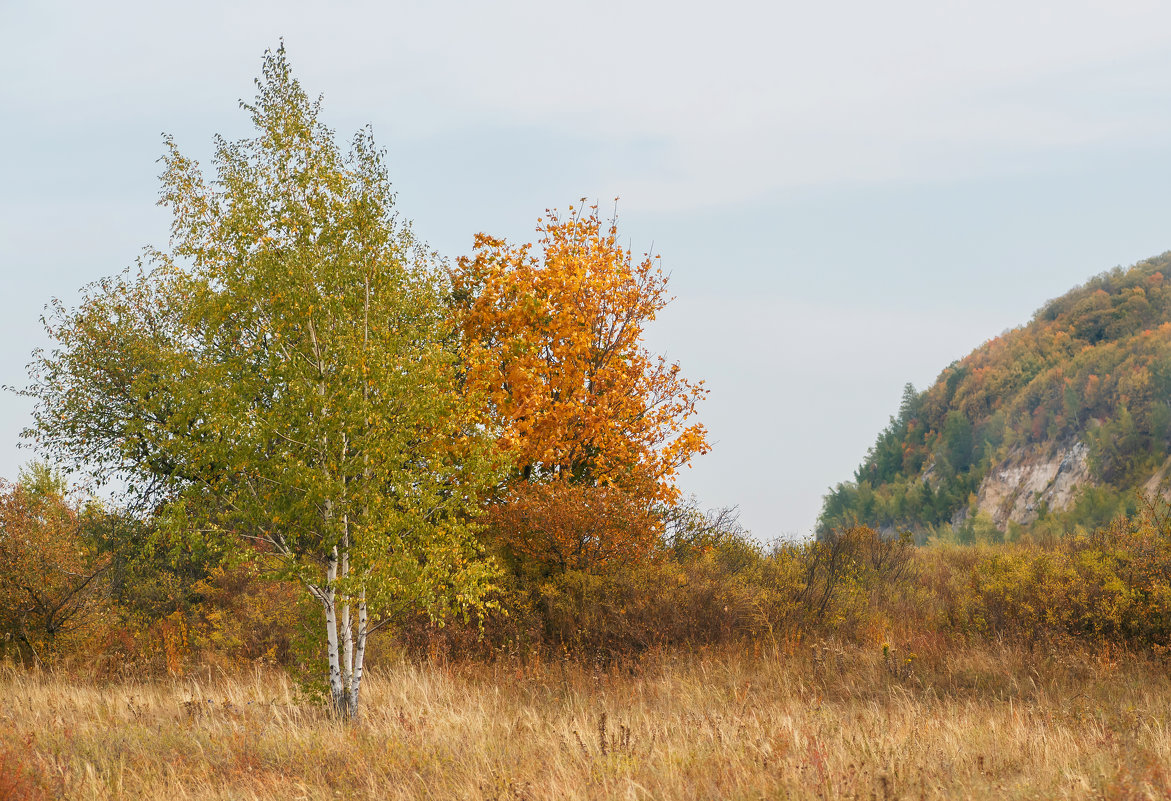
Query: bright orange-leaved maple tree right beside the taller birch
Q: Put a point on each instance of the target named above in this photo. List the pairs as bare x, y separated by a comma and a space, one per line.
554, 341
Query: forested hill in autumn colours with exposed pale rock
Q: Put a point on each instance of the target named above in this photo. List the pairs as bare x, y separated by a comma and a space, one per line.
1056, 425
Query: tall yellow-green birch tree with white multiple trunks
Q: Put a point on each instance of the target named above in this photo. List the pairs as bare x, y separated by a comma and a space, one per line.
282, 381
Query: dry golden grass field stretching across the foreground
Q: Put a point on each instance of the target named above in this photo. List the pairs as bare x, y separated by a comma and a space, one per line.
825, 721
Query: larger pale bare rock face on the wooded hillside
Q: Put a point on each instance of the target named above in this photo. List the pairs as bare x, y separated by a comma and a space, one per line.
1016, 490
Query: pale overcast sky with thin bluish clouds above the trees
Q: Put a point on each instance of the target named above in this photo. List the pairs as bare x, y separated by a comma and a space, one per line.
850, 195
